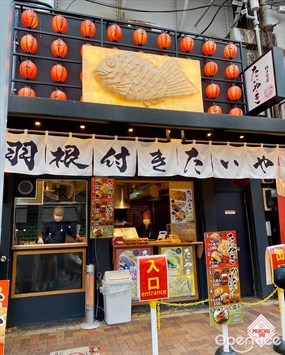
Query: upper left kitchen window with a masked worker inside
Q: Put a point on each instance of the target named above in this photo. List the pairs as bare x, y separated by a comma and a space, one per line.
56, 214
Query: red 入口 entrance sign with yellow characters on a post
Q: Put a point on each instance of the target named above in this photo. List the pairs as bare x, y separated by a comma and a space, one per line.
152, 277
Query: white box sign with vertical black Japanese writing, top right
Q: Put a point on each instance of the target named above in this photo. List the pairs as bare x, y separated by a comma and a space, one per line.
265, 81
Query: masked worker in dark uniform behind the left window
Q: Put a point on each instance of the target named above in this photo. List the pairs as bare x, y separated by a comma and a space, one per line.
59, 230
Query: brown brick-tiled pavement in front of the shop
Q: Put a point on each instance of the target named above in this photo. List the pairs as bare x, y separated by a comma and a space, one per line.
182, 332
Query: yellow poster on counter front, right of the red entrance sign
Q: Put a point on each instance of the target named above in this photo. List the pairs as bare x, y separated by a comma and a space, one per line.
181, 273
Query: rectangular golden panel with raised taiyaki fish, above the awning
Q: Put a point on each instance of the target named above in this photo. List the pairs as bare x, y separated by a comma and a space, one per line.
116, 77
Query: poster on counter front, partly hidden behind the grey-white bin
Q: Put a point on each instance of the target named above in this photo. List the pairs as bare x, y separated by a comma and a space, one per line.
126, 259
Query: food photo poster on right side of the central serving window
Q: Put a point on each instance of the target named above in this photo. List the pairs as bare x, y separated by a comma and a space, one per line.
181, 206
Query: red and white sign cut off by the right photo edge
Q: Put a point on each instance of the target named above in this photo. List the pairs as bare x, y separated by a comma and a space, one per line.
274, 258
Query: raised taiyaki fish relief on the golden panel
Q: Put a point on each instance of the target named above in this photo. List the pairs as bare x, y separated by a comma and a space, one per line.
136, 78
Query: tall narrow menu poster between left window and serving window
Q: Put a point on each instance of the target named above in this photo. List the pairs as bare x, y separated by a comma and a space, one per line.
102, 208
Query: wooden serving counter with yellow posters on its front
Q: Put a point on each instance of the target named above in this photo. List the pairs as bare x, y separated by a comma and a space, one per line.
181, 259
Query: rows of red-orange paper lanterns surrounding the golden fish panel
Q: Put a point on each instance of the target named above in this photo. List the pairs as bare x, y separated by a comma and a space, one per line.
29, 44
